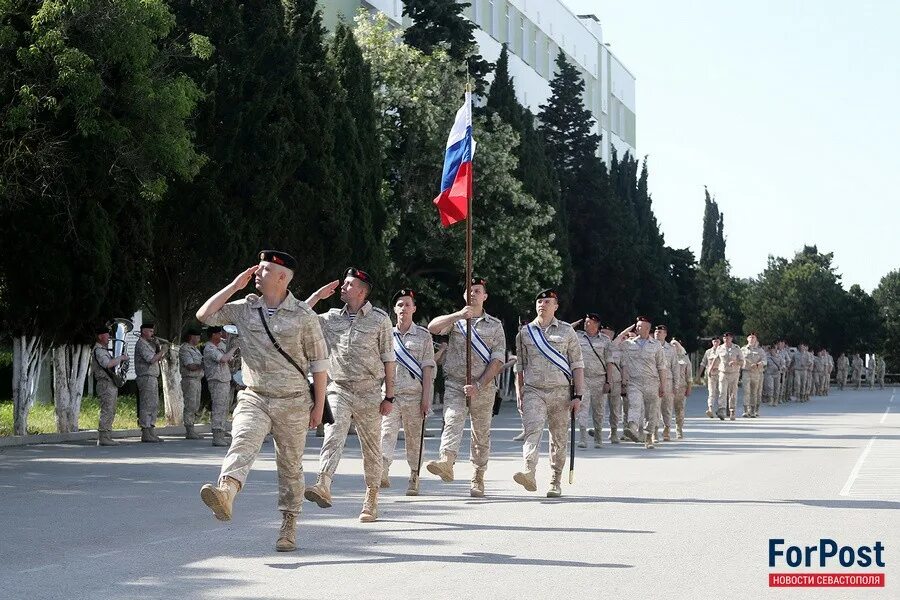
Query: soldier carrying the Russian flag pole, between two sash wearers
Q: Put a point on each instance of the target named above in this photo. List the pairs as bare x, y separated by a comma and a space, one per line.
476, 400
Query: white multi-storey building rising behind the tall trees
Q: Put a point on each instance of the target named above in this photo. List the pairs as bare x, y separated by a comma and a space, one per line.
535, 31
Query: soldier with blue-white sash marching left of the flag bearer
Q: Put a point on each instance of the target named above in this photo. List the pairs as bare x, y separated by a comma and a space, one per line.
413, 386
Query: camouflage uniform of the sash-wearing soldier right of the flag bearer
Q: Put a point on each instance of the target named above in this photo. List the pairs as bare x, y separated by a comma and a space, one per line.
546, 394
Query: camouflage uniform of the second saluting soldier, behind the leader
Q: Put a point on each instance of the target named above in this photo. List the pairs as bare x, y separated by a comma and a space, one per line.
359, 347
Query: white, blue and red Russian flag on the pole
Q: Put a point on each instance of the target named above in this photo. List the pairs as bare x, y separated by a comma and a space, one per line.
456, 182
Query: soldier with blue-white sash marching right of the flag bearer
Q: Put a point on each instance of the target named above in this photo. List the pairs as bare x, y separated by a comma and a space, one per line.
549, 362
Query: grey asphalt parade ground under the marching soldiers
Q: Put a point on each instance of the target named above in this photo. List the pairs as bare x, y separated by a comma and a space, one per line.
688, 519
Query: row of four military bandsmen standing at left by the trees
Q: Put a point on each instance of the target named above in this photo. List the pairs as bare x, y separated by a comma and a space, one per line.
213, 362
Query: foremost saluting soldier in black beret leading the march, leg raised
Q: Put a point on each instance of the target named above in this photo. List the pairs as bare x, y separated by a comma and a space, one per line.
281, 341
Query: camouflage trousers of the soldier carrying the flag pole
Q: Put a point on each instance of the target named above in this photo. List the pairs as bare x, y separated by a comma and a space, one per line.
480, 411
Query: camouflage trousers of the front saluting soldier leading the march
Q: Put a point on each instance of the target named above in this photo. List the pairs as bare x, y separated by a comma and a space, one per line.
288, 420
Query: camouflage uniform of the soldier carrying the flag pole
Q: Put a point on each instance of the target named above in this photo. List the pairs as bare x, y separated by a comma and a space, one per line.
481, 406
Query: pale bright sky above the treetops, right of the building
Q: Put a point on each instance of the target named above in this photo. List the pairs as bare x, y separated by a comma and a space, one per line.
786, 110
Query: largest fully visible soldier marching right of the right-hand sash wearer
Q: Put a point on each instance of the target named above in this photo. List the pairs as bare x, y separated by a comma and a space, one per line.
644, 369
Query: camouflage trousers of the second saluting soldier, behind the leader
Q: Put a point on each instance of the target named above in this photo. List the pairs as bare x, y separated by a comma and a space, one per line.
359, 401
